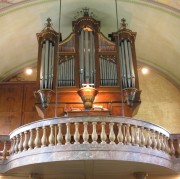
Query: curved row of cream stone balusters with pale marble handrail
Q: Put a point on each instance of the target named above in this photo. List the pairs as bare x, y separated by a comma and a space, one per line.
111, 131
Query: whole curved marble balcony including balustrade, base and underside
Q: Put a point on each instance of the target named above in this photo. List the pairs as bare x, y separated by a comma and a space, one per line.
84, 146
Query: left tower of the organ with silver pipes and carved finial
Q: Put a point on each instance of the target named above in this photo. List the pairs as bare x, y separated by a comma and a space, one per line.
47, 56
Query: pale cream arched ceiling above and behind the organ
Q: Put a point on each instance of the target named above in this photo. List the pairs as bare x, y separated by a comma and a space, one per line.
156, 22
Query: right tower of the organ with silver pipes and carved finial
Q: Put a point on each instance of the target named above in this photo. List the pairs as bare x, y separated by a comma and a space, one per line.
125, 39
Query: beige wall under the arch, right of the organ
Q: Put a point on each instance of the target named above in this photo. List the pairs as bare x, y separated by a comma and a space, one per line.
160, 101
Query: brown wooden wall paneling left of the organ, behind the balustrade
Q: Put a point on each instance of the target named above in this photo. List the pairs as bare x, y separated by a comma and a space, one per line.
16, 105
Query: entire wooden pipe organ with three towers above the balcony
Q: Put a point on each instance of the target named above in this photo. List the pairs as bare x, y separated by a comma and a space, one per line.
87, 73
